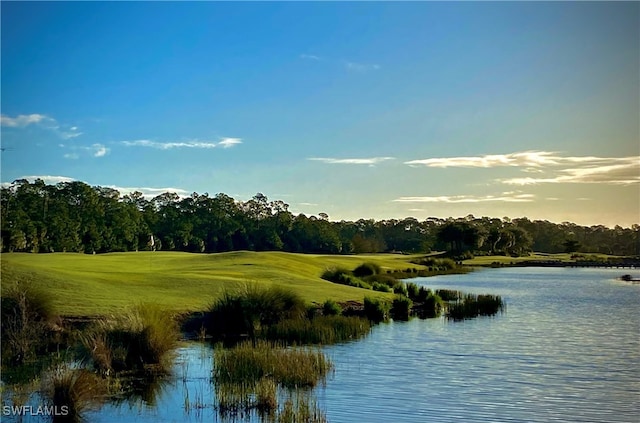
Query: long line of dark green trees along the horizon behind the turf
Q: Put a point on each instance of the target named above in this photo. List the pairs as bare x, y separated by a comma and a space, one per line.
76, 217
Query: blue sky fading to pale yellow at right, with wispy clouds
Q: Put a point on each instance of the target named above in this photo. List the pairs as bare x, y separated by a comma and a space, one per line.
373, 110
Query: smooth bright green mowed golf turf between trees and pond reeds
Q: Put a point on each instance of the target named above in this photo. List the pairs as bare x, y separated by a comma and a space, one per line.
91, 285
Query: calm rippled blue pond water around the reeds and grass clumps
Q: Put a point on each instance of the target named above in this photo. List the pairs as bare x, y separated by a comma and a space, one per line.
567, 349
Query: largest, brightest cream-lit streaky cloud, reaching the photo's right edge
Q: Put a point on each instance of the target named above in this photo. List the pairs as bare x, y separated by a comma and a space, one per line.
550, 166
